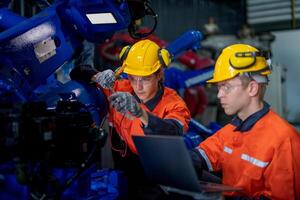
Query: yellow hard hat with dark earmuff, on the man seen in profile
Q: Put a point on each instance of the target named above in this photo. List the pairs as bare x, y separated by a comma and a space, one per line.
238, 59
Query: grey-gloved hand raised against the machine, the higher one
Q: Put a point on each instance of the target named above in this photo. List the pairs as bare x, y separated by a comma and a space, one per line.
106, 78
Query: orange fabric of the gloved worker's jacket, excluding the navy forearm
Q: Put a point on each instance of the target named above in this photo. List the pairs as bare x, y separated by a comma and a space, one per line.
171, 106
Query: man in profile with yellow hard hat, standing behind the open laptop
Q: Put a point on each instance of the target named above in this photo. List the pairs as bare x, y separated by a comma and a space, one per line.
257, 151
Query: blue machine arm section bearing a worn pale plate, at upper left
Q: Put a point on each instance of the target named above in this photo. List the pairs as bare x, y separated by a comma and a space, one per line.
21, 67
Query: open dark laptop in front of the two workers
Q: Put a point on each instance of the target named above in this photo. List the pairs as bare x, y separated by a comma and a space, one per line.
166, 161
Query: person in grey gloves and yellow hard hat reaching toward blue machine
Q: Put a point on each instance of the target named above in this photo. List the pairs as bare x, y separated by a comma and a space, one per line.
140, 105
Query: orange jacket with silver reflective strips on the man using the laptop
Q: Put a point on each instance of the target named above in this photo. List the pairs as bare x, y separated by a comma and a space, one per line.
263, 159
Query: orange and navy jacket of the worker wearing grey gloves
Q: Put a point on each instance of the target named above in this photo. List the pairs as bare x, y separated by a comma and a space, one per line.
165, 106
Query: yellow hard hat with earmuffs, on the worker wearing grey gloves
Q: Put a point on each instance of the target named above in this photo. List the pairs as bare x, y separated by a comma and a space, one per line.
144, 58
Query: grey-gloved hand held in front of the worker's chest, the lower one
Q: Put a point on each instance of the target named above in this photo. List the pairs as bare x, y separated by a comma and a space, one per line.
123, 102
